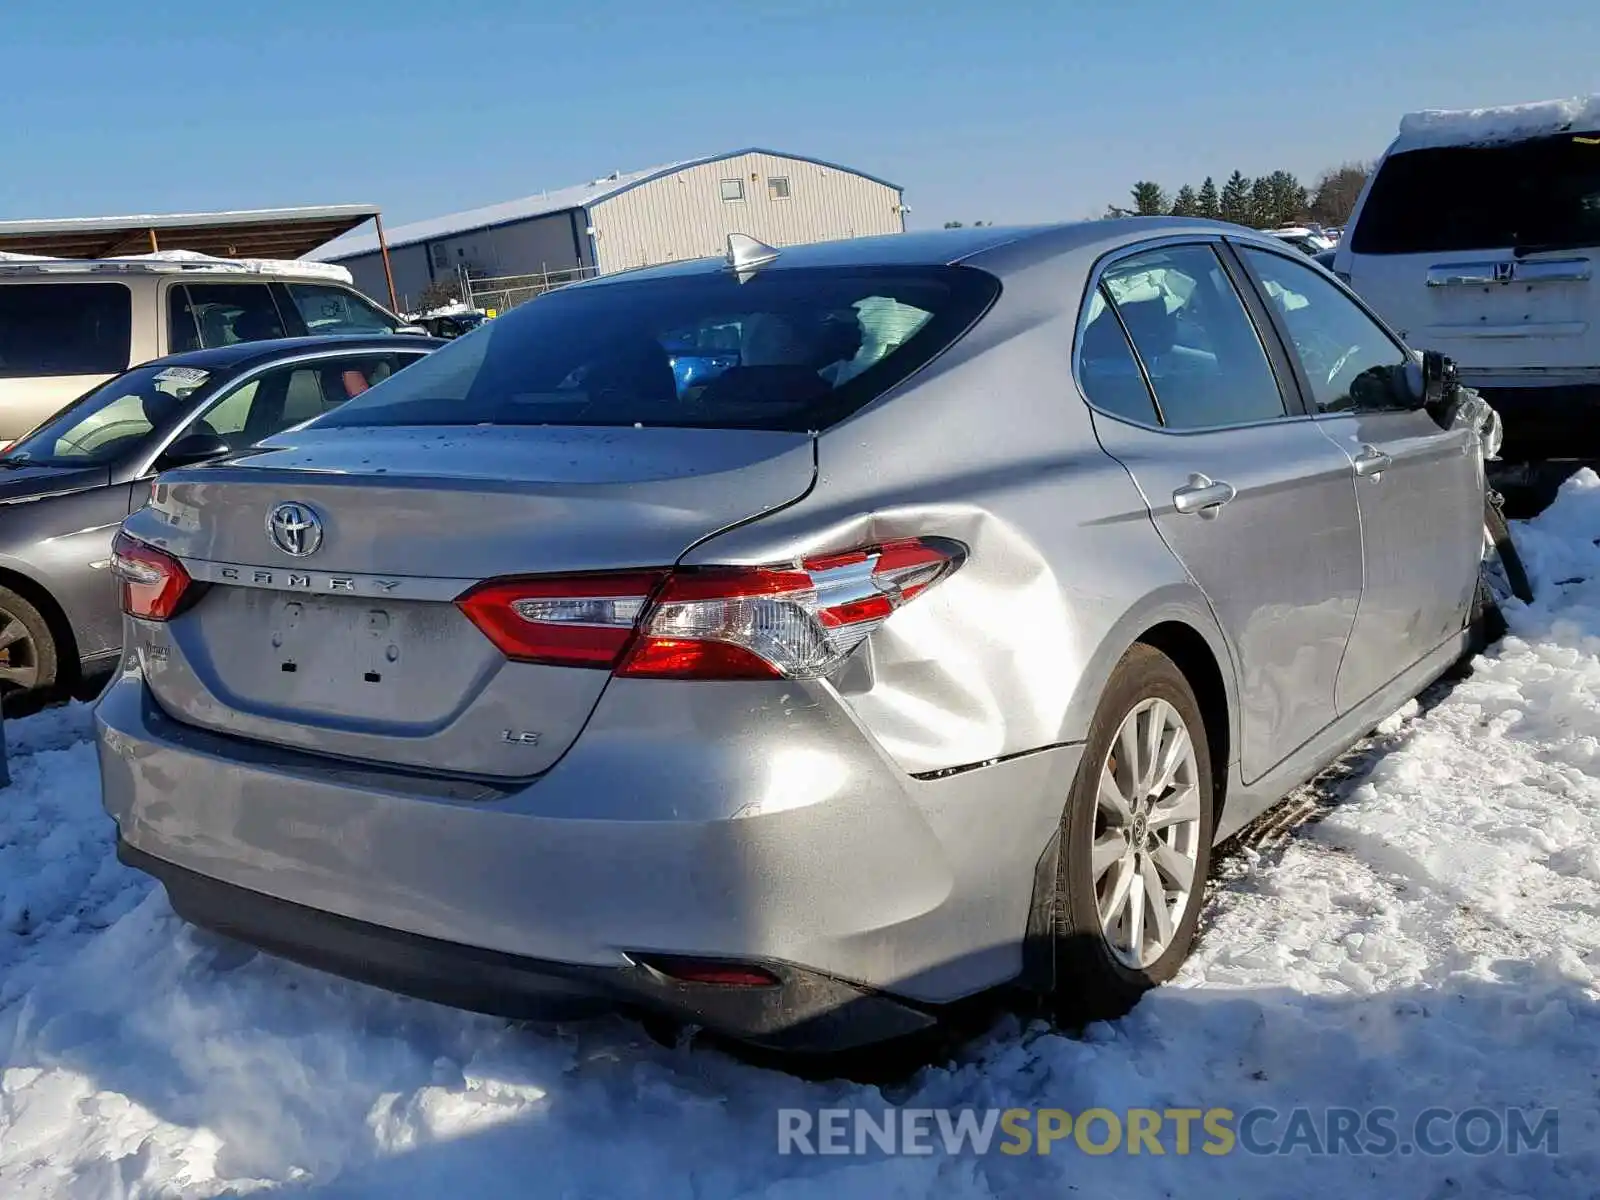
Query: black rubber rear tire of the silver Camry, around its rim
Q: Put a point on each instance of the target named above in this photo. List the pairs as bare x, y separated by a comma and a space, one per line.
1092, 982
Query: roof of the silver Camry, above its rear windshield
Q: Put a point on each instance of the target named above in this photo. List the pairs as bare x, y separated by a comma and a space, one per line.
946, 247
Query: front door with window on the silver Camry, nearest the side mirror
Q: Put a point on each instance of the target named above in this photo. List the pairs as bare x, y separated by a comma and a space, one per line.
1420, 487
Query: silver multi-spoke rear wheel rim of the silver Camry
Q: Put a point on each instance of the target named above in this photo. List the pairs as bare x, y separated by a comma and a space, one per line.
1146, 833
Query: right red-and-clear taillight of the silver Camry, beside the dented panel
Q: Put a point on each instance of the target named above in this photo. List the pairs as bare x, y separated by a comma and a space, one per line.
716, 623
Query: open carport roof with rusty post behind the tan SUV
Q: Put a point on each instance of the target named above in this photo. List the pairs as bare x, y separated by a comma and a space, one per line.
263, 233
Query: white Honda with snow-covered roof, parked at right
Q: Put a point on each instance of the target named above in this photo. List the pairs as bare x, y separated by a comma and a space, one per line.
1479, 236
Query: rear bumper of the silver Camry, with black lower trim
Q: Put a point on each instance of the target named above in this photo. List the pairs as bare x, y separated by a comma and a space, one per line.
729, 828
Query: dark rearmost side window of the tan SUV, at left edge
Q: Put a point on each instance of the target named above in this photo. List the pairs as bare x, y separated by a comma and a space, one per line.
65, 329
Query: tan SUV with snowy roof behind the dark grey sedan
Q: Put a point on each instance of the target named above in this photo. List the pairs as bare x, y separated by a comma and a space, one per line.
68, 326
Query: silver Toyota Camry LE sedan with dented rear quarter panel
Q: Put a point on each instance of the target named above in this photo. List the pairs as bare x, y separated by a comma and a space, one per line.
799, 642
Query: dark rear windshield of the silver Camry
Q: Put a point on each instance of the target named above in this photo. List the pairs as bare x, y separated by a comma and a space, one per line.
786, 350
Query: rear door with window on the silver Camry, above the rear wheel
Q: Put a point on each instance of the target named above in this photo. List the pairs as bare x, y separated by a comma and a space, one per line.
1246, 490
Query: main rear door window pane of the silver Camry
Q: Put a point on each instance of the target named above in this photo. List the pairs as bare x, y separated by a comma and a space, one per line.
1194, 338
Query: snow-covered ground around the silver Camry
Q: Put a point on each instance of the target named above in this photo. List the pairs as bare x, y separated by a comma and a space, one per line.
1434, 940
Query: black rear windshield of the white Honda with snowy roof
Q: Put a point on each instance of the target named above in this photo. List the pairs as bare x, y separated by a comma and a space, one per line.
1534, 194
